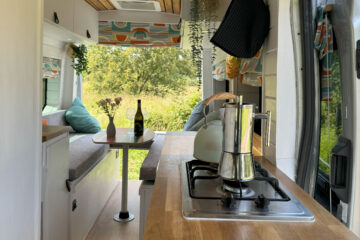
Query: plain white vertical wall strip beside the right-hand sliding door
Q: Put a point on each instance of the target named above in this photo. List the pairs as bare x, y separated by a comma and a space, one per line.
286, 94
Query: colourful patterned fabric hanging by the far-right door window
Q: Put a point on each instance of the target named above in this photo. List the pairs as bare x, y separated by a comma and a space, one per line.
324, 44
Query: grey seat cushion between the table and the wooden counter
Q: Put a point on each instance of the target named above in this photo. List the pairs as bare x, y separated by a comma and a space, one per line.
149, 166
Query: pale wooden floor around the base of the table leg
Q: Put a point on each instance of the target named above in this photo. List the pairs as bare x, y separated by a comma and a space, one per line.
106, 228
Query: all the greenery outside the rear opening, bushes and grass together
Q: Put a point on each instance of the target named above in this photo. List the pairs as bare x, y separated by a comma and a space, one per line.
164, 78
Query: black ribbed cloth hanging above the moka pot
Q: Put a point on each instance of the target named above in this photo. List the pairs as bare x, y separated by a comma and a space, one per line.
244, 28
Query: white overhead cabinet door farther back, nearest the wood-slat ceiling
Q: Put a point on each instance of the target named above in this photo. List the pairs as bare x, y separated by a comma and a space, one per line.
86, 21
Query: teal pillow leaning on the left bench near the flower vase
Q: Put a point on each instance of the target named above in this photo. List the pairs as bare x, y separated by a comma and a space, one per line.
80, 119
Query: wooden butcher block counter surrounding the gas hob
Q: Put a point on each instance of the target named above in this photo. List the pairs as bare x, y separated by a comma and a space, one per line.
165, 219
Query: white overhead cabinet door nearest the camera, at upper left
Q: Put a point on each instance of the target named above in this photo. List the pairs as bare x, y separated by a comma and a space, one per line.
64, 9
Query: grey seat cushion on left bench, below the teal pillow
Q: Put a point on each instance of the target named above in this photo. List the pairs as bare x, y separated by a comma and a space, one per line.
84, 155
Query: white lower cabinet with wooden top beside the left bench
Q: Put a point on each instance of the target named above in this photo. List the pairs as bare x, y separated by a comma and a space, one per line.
55, 197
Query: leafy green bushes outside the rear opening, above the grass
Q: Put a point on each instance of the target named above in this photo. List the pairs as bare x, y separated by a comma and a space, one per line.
155, 71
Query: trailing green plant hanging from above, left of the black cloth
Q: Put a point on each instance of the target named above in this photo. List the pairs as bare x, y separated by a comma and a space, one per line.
202, 13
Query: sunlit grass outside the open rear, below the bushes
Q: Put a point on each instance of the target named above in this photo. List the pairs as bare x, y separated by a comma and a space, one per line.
168, 113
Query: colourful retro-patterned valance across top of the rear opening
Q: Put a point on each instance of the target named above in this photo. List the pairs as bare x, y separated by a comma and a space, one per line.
130, 34
